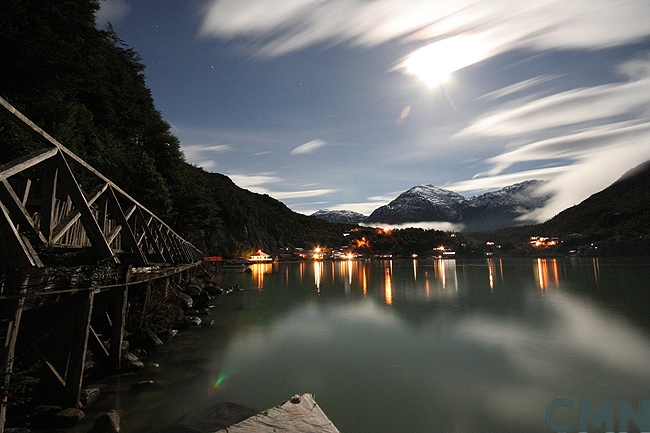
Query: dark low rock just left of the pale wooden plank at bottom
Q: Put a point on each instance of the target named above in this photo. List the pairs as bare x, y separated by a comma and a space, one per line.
213, 418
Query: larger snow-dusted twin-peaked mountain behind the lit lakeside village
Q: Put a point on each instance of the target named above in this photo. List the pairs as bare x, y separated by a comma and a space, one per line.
489, 211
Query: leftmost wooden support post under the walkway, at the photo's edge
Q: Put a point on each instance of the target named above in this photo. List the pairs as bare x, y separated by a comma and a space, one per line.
12, 312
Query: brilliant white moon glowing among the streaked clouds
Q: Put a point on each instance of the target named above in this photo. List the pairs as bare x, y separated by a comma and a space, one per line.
434, 63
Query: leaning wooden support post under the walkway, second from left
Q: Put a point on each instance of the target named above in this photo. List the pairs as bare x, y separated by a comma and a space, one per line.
74, 379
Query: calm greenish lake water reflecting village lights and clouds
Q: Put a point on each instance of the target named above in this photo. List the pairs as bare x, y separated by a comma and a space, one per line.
409, 346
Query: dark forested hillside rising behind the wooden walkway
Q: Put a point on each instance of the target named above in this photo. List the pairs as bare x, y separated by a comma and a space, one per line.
86, 88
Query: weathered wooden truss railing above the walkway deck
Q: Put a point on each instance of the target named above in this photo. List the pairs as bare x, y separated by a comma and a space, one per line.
44, 208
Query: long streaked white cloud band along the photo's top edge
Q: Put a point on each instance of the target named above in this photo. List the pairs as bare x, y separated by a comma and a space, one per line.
279, 28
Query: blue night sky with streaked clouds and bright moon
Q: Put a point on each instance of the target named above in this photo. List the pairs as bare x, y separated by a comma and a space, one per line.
343, 104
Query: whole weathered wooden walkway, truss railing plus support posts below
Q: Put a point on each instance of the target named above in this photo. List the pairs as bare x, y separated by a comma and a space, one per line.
47, 212
